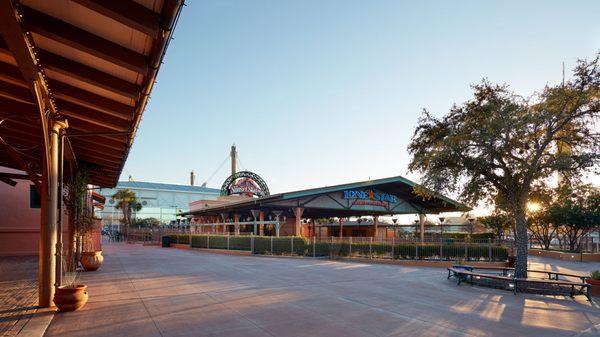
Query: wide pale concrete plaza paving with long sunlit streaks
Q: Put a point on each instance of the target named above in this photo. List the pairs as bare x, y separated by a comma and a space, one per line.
152, 291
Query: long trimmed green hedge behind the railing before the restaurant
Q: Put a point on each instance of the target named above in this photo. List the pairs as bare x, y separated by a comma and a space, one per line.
304, 247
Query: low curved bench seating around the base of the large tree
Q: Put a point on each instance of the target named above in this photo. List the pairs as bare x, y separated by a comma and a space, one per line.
465, 275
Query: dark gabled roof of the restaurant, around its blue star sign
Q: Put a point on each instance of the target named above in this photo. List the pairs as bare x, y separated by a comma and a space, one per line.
309, 200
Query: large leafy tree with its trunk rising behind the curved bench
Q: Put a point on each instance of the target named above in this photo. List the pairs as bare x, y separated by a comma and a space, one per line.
499, 145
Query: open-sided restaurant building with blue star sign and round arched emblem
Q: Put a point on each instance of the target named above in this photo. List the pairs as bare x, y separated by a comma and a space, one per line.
318, 211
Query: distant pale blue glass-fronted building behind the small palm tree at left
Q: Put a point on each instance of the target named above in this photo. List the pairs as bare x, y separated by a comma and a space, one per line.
158, 200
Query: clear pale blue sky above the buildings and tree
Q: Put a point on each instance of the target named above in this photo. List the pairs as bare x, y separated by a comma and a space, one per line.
323, 92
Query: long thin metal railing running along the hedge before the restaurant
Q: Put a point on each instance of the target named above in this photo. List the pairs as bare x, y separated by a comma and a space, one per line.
350, 247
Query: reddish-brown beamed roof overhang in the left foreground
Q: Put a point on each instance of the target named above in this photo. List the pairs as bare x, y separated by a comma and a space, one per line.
96, 61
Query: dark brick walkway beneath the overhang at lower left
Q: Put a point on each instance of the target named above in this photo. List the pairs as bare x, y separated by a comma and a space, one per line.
18, 293
